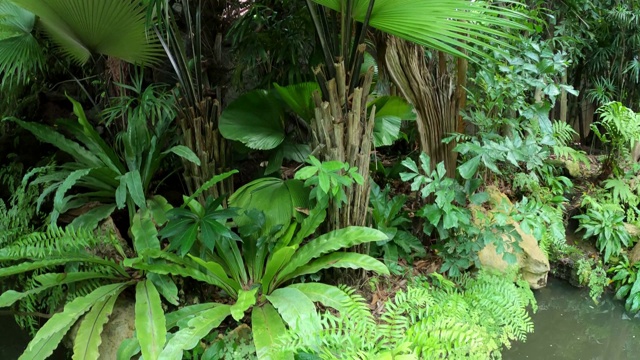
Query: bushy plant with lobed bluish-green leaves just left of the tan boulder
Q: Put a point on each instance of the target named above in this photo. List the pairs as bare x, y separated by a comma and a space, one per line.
461, 232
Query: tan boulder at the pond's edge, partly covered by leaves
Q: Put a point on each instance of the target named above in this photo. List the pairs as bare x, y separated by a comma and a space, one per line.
532, 262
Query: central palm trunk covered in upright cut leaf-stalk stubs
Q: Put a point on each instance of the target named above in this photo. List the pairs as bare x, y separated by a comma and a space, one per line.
343, 131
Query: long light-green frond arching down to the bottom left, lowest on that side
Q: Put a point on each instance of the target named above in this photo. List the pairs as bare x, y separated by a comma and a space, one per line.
50, 335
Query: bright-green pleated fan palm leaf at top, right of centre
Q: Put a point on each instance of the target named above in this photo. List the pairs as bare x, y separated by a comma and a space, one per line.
445, 25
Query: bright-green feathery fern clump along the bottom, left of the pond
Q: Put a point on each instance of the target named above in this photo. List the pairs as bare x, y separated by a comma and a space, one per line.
473, 320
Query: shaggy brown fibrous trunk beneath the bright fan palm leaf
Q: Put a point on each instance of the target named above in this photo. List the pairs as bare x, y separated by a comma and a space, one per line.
431, 88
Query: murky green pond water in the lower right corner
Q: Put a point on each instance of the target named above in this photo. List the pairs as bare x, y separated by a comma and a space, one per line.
568, 325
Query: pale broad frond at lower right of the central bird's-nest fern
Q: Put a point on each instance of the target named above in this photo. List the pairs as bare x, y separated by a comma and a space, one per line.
296, 309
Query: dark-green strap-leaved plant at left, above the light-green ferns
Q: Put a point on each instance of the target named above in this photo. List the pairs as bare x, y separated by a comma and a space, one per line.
113, 175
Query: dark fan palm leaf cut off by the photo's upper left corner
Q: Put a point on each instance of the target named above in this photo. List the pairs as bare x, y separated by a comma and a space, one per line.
20, 54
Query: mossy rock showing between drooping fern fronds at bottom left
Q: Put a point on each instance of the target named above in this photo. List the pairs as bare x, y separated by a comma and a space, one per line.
120, 326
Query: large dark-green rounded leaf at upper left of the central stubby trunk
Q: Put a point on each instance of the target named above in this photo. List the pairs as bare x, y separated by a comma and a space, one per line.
255, 119
